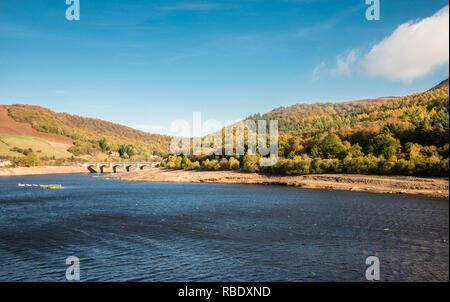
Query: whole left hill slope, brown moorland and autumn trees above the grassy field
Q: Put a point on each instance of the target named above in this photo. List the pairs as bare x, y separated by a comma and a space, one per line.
87, 136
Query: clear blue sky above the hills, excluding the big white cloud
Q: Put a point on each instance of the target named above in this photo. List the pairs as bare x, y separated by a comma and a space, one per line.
147, 63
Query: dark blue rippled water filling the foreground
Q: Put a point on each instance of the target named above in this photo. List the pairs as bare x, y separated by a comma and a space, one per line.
147, 231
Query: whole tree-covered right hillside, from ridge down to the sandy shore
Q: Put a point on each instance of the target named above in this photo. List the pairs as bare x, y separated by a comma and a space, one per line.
394, 135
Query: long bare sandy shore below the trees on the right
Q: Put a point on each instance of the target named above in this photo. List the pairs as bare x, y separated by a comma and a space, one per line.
436, 187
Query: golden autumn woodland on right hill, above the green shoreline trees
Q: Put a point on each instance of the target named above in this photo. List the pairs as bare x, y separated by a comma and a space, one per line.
420, 118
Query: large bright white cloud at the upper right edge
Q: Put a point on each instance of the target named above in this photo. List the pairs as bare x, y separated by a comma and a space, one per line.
413, 50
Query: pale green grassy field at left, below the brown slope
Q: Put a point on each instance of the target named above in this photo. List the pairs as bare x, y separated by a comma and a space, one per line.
46, 148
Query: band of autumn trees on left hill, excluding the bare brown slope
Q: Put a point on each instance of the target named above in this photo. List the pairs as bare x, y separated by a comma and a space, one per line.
90, 134
